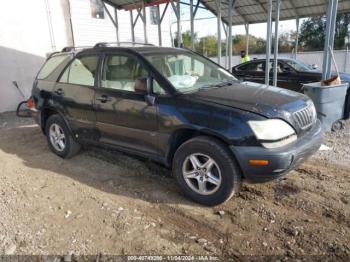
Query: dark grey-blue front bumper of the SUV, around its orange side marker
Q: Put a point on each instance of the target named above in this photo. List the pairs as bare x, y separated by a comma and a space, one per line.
281, 160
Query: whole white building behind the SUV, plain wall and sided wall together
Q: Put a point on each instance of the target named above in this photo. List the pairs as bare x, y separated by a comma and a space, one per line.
26, 37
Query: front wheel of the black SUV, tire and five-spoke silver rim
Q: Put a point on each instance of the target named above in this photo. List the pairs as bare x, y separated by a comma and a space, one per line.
206, 171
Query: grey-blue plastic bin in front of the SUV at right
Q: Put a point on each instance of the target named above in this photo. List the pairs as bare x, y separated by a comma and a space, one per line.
329, 102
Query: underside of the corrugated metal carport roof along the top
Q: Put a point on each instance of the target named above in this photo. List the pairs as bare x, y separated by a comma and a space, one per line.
250, 11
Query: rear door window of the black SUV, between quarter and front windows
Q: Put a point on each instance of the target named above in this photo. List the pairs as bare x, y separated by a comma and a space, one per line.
81, 71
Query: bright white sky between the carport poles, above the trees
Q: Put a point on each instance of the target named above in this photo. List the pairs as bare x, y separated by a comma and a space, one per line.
207, 24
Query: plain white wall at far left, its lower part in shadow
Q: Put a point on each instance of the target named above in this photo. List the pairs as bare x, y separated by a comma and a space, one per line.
24, 42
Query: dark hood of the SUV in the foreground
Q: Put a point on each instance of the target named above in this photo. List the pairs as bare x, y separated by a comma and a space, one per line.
268, 101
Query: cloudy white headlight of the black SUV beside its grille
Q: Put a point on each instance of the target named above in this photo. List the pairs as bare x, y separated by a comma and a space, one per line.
273, 133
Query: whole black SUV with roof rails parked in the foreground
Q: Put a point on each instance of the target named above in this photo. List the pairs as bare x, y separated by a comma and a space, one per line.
177, 108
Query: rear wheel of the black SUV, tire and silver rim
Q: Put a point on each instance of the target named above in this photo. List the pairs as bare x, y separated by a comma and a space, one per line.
59, 137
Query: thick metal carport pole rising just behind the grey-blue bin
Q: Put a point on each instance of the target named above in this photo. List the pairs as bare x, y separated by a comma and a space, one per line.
329, 41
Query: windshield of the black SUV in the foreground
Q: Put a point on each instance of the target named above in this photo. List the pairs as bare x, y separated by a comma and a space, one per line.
188, 72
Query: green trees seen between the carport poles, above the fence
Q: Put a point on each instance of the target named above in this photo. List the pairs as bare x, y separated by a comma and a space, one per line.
311, 37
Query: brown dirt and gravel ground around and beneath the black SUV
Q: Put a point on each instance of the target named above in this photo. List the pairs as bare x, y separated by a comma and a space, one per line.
107, 202
